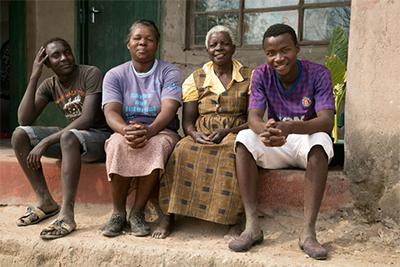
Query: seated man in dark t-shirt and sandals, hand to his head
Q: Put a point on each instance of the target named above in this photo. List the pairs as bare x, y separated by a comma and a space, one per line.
76, 90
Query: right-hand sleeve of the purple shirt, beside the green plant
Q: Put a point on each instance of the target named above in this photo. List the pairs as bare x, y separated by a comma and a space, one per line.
323, 91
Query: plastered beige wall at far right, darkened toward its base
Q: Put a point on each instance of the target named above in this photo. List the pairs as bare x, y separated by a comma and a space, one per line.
372, 137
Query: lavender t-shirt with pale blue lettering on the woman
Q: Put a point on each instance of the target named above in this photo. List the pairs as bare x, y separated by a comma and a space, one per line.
141, 93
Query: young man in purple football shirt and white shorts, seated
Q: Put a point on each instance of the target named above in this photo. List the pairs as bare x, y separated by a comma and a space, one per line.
297, 95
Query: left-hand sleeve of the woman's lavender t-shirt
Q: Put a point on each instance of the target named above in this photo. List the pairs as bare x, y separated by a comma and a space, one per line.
112, 91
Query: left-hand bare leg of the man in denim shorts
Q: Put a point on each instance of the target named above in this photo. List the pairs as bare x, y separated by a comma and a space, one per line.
21, 145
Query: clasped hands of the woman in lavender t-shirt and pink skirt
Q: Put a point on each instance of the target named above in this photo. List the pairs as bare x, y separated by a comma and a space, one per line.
137, 134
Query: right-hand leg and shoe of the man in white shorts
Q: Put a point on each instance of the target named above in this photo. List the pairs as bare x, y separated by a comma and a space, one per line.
314, 188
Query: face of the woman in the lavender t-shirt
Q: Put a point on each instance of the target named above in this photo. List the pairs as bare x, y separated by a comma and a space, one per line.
142, 44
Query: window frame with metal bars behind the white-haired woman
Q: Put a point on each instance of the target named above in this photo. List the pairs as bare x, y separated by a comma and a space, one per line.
300, 8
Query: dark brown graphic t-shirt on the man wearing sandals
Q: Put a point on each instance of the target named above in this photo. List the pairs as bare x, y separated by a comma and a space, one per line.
86, 80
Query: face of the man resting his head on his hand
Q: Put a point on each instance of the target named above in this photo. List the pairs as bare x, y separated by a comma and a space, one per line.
60, 58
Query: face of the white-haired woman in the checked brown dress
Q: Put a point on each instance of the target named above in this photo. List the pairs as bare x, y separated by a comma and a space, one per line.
220, 48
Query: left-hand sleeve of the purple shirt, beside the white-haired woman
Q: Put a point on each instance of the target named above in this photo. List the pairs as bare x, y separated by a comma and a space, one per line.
258, 99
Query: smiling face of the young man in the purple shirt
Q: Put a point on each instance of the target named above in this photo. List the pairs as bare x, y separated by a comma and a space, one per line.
281, 55
